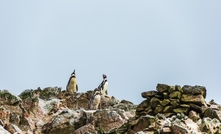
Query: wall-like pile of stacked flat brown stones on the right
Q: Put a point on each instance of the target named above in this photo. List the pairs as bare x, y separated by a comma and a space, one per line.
170, 100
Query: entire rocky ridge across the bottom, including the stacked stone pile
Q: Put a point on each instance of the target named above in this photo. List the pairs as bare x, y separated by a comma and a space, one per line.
166, 110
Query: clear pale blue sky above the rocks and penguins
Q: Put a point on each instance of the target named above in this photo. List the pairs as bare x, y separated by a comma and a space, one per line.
137, 44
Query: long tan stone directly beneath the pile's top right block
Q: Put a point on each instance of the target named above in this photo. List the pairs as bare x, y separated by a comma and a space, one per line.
196, 99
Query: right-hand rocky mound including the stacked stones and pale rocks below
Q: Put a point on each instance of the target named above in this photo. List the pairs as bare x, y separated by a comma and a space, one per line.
175, 110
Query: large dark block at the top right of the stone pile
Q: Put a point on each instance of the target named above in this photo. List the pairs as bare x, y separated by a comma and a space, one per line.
194, 90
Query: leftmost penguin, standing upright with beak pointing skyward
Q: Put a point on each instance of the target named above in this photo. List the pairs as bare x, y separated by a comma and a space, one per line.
72, 86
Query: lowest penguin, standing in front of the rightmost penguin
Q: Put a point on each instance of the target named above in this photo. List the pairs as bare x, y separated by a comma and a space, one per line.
95, 101
